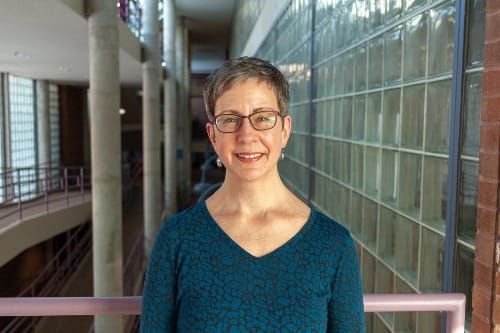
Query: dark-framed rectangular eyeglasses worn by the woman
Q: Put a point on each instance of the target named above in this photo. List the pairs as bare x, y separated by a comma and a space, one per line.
261, 121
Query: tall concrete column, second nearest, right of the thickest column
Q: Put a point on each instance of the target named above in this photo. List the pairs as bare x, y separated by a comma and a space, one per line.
151, 70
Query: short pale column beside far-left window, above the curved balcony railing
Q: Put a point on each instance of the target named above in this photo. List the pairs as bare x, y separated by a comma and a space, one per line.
43, 122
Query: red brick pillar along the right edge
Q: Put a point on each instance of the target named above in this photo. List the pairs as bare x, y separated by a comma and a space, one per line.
486, 290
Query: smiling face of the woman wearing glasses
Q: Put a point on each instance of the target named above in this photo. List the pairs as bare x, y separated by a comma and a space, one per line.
249, 154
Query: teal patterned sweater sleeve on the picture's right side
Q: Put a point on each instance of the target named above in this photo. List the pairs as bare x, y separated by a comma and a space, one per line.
345, 309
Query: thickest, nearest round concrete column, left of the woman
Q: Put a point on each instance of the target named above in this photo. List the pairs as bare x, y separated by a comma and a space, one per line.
104, 101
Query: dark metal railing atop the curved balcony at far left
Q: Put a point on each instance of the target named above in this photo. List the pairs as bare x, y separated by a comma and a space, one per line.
24, 188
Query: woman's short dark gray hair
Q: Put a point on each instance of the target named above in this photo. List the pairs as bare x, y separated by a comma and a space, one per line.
240, 69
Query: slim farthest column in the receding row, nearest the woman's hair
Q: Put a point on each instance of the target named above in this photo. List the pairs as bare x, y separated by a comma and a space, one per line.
181, 113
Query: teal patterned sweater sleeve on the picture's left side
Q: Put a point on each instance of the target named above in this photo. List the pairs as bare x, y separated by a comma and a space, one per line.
159, 294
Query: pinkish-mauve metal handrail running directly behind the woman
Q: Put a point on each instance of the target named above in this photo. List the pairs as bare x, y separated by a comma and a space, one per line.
452, 304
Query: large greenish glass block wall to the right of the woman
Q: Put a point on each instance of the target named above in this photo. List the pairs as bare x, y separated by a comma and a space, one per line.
371, 90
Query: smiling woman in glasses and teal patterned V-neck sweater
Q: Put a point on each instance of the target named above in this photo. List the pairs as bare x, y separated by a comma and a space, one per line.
253, 257
